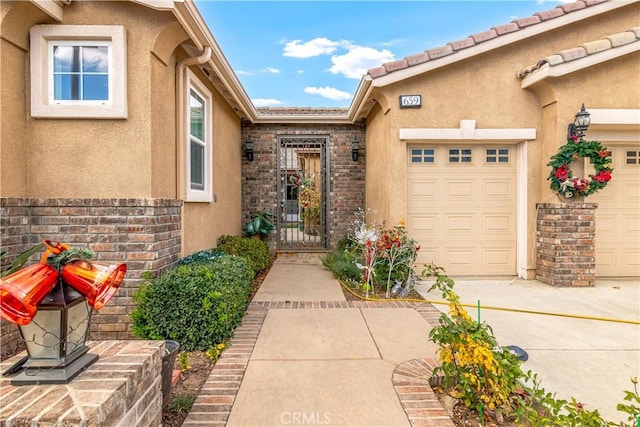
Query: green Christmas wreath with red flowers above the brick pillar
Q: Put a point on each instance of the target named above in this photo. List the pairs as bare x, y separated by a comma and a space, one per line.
562, 180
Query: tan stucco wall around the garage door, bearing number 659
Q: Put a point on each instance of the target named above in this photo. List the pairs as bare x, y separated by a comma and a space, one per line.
487, 90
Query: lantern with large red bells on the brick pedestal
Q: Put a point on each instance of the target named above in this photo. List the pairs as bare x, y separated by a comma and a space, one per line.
52, 308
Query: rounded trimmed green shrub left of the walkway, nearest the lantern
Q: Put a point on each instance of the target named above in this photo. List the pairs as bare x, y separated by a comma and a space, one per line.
197, 305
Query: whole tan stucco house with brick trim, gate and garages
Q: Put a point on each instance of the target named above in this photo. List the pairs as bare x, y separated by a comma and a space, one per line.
124, 129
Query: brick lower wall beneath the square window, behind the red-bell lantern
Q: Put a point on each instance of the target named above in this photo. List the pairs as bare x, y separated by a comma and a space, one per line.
143, 233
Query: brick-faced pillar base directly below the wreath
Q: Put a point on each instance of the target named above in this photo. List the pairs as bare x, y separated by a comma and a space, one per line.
565, 240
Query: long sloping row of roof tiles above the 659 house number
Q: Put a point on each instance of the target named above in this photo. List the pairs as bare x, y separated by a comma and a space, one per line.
478, 38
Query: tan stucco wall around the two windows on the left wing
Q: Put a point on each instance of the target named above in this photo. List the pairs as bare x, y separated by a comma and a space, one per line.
136, 157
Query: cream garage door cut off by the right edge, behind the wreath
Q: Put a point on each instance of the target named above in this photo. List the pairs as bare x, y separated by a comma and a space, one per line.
618, 216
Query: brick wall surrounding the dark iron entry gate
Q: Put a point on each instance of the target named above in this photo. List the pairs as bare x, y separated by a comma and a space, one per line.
346, 177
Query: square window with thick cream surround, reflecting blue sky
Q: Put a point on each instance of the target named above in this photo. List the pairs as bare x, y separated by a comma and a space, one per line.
78, 71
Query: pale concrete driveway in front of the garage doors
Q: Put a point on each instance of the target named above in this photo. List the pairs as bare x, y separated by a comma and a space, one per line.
591, 360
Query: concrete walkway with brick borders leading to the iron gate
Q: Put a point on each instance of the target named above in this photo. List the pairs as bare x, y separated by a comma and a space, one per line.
306, 356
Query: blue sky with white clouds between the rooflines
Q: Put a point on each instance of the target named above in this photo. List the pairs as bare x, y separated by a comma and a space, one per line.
313, 54
